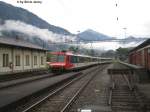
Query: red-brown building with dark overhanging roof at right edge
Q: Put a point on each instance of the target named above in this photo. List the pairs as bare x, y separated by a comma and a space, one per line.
140, 55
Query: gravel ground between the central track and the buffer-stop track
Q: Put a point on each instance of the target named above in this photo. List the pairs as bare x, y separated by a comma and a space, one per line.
95, 96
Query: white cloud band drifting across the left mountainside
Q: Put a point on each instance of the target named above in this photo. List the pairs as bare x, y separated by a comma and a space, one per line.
11, 25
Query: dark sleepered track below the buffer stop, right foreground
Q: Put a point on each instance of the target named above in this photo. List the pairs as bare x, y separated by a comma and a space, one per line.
124, 97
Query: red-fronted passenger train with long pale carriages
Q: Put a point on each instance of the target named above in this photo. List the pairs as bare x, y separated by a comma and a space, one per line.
69, 61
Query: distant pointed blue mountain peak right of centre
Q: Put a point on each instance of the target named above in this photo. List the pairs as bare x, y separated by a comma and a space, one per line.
91, 35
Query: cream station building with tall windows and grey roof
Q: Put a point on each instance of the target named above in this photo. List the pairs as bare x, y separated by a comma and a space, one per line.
20, 56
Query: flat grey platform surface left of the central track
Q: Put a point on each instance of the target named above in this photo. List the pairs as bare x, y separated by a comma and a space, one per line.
15, 93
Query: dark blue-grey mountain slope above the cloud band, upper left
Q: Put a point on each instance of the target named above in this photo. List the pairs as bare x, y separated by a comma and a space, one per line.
9, 12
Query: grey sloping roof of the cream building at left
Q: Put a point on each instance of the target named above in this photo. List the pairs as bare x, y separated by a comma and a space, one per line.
19, 43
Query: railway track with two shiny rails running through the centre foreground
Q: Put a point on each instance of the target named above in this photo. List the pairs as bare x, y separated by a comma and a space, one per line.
62, 98
